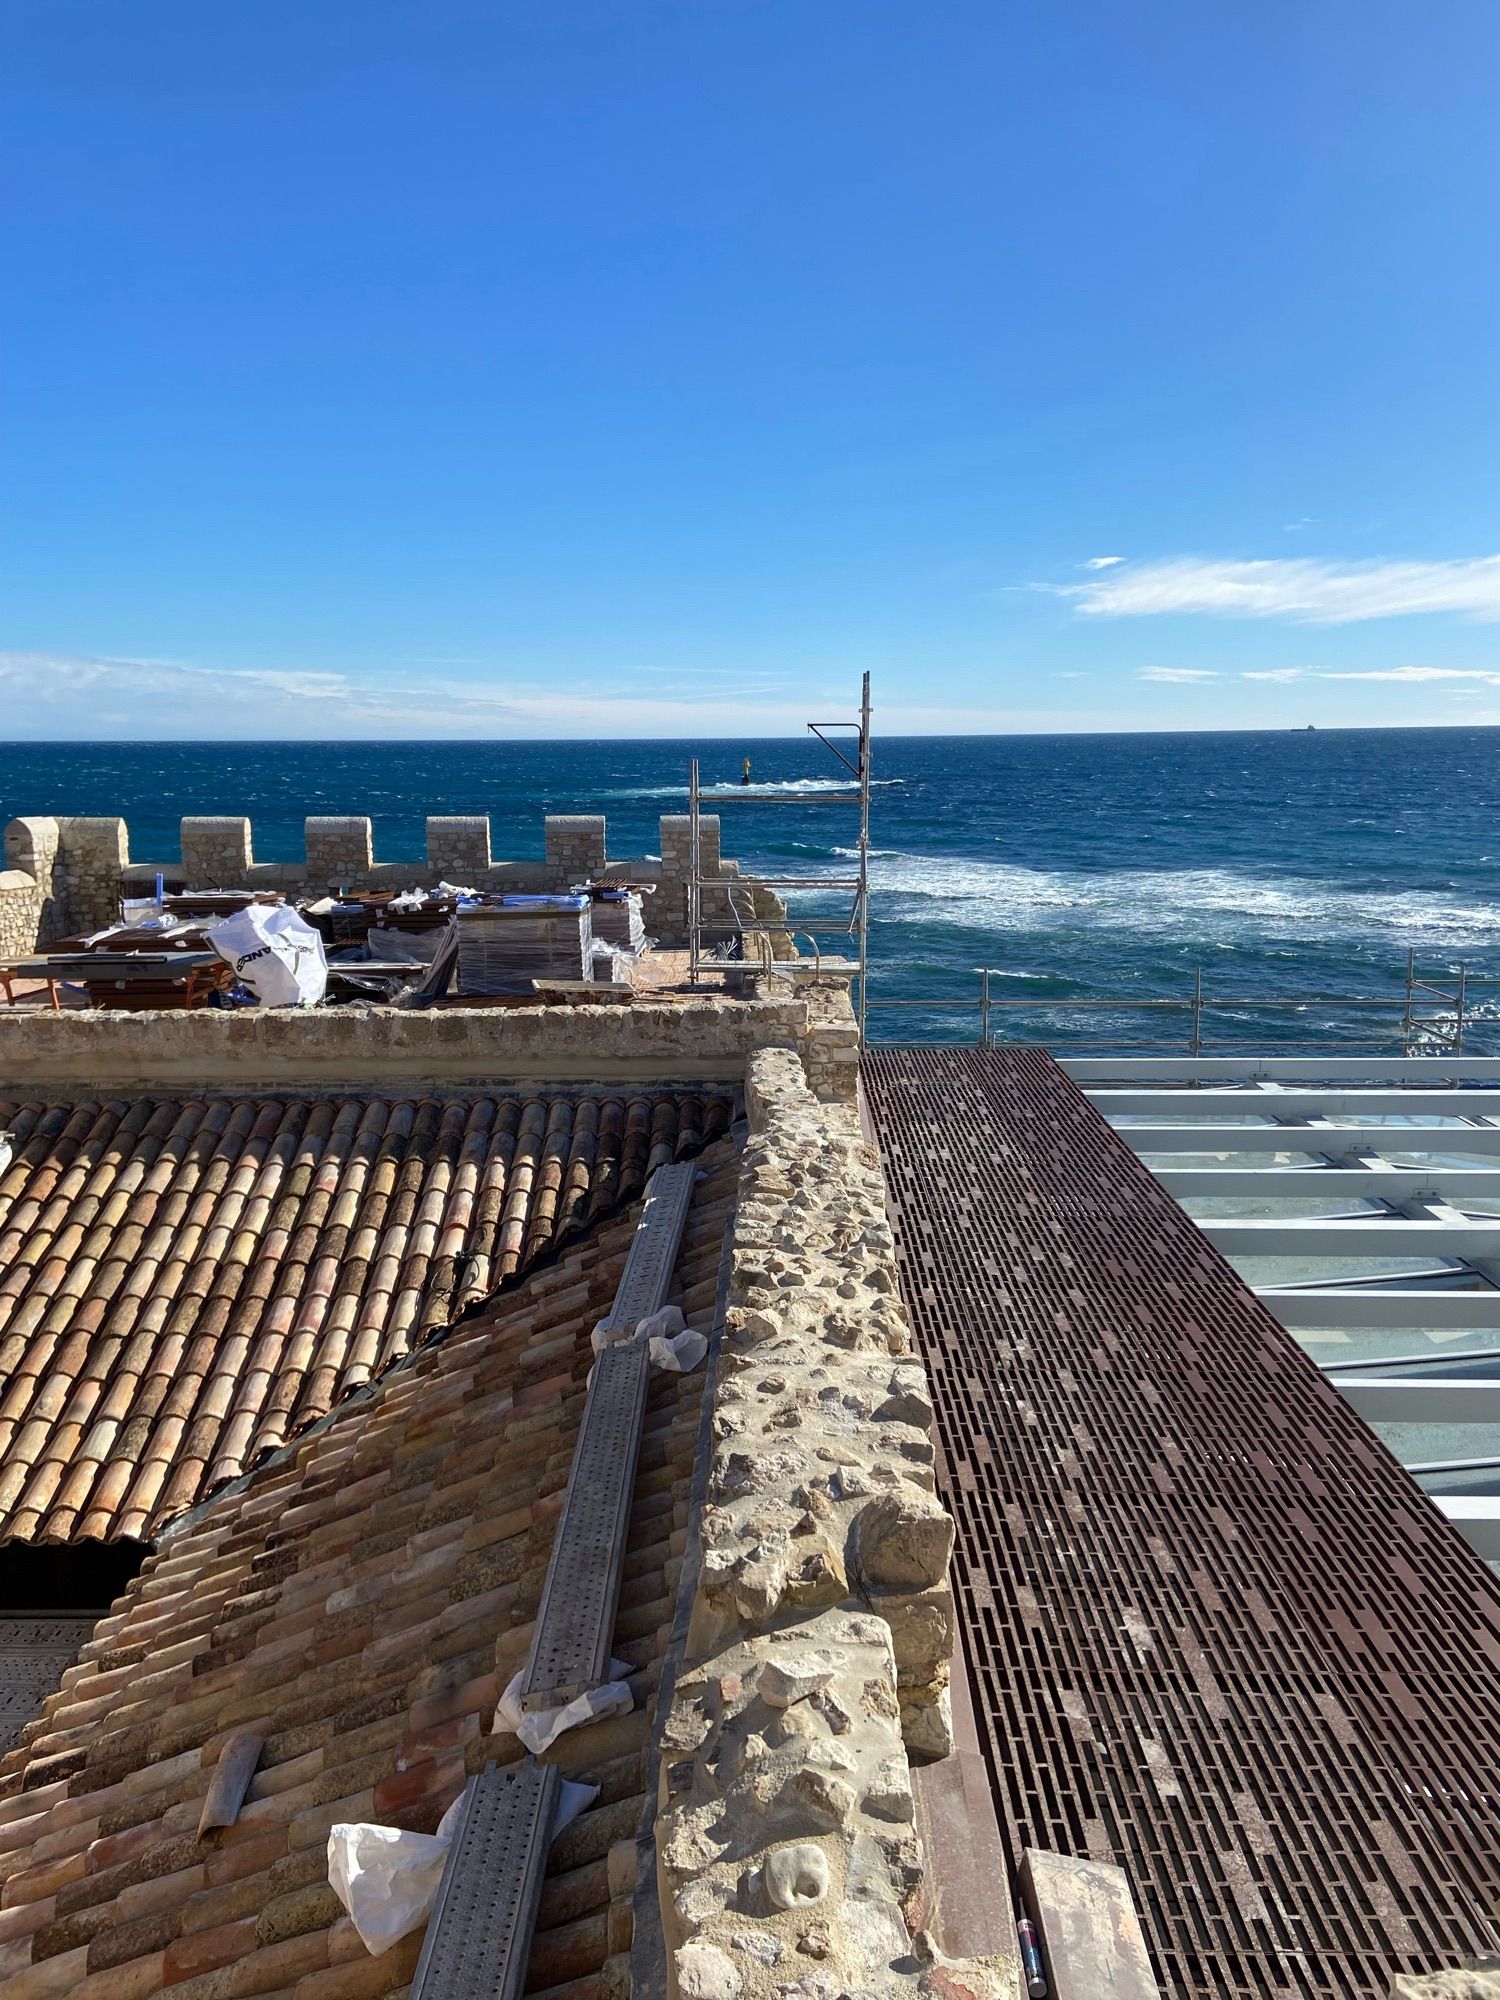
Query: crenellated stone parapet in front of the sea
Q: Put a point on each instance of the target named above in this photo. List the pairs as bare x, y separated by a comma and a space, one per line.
73, 873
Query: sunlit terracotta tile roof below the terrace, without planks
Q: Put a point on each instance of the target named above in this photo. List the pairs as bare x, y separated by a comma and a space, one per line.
187, 1283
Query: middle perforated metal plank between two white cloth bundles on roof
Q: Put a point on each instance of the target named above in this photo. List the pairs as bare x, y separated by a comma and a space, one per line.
575, 1623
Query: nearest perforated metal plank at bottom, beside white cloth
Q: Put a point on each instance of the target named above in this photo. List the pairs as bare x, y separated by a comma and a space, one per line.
481, 1931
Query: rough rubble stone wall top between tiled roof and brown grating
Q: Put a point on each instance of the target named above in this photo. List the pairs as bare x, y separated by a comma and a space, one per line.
823, 1623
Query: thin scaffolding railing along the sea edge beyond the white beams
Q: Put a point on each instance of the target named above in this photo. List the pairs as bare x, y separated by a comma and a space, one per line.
1429, 1019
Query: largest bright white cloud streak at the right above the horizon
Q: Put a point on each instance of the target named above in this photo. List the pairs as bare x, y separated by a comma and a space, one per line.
1309, 589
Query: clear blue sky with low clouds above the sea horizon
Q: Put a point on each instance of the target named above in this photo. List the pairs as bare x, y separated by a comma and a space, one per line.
651, 369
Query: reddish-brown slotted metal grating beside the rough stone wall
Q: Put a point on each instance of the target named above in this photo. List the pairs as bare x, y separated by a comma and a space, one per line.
1219, 1637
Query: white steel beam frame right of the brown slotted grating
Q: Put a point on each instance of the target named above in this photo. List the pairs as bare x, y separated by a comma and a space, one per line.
1303, 1105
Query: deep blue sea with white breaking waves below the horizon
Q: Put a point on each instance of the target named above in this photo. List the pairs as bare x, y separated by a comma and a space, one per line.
1281, 865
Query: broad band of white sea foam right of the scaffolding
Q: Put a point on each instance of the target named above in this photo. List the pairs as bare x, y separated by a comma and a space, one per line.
1165, 903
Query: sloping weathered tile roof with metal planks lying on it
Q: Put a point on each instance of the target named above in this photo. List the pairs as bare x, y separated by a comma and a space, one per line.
359, 1603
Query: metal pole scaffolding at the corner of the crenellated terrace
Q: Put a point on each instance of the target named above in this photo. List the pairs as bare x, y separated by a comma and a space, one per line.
857, 885
